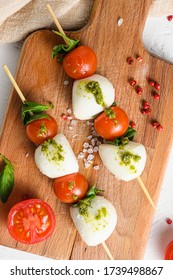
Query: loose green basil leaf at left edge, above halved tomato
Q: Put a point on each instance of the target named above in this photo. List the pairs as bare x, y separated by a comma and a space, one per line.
6, 180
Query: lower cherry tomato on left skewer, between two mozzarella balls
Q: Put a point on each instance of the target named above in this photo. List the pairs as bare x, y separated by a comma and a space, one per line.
70, 188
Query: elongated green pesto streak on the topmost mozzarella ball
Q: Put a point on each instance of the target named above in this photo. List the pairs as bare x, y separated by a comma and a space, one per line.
94, 88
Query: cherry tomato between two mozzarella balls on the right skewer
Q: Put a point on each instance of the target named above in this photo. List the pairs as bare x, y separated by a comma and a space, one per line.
111, 123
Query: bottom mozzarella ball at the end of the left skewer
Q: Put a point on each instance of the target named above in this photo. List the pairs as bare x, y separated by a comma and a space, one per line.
99, 222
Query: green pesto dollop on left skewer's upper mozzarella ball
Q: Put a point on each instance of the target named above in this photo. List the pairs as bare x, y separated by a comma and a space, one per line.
55, 153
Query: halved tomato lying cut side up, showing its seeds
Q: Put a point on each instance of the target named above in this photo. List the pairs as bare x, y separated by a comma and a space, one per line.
31, 221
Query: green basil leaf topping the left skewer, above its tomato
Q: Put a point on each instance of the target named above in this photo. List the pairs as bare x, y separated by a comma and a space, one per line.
31, 111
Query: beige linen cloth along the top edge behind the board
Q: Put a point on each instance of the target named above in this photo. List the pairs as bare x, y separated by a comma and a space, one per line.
18, 18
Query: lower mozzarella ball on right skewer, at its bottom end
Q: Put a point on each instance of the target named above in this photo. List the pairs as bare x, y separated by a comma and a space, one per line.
126, 164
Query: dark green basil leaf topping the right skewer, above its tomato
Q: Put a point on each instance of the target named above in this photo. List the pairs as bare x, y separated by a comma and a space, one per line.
63, 49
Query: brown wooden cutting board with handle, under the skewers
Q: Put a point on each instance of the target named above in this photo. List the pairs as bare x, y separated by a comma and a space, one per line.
42, 79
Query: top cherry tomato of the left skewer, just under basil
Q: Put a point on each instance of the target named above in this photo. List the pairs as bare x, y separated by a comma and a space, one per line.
40, 130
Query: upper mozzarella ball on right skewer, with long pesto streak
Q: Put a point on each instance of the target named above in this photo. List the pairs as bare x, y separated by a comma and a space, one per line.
91, 96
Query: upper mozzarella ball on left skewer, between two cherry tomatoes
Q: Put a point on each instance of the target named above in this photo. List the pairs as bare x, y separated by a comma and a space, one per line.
55, 157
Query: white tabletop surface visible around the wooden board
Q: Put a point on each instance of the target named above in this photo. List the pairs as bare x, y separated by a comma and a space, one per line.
158, 38
